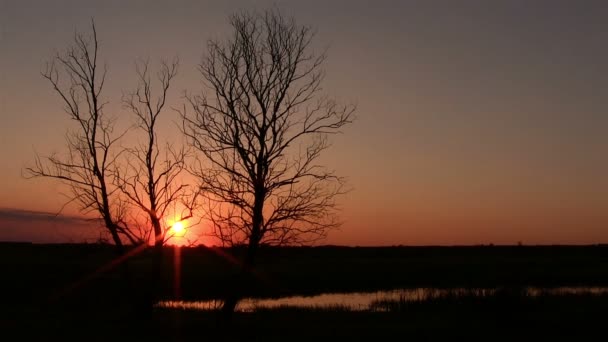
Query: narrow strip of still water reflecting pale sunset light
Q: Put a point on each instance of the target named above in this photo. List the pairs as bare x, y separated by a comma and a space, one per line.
363, 301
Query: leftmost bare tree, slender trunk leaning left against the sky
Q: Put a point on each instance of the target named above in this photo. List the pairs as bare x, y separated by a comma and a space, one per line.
79, 80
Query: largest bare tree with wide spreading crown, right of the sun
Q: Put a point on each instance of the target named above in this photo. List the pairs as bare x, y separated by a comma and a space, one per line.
262, 131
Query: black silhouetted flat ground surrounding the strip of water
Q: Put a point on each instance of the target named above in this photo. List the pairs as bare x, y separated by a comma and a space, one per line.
77, 292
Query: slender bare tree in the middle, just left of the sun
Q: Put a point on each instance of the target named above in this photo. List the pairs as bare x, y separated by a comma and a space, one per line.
152, 179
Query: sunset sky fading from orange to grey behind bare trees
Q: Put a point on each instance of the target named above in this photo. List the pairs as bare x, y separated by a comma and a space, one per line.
478, 122
